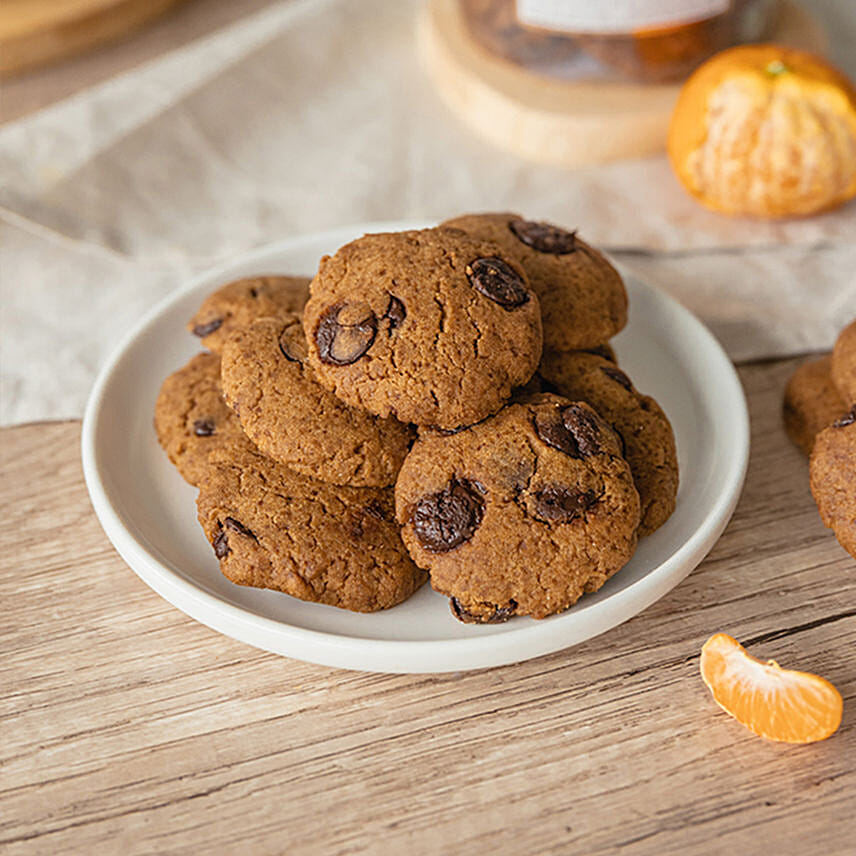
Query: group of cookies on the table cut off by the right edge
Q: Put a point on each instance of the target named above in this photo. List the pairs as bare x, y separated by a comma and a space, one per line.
820, 417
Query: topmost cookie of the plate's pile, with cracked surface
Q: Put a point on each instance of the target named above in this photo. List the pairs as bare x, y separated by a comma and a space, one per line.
431, 327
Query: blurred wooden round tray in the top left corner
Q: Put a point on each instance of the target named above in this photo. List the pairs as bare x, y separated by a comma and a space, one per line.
38, 32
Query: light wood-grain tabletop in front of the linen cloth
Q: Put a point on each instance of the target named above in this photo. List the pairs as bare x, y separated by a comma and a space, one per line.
129, 728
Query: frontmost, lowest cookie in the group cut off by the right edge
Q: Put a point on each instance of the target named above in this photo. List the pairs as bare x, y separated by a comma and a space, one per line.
833, 478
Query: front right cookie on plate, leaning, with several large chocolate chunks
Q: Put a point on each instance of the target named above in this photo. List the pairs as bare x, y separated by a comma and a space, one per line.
522, 513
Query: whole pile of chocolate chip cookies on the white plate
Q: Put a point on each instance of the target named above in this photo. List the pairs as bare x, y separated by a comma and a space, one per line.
442, 403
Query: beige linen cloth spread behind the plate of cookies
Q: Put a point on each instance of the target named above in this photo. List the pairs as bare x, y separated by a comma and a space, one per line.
315, 114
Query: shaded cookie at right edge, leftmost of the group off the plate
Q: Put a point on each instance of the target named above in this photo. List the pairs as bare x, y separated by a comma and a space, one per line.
811, 402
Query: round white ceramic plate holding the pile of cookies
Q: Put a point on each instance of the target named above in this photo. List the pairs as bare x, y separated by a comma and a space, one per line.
149, 513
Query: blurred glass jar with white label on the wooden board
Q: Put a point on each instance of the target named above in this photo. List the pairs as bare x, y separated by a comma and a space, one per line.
644, 41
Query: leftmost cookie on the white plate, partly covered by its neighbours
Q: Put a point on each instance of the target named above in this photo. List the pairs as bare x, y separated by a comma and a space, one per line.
191, 418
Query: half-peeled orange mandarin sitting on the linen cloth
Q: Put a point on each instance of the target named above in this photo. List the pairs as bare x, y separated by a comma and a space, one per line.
766, 131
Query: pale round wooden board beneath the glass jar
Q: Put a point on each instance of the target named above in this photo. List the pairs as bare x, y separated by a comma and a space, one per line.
562, 123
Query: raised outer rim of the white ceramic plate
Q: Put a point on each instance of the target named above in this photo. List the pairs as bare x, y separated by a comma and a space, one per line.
372, 654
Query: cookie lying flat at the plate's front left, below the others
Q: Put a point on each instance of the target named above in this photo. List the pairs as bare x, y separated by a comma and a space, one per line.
273, 528
